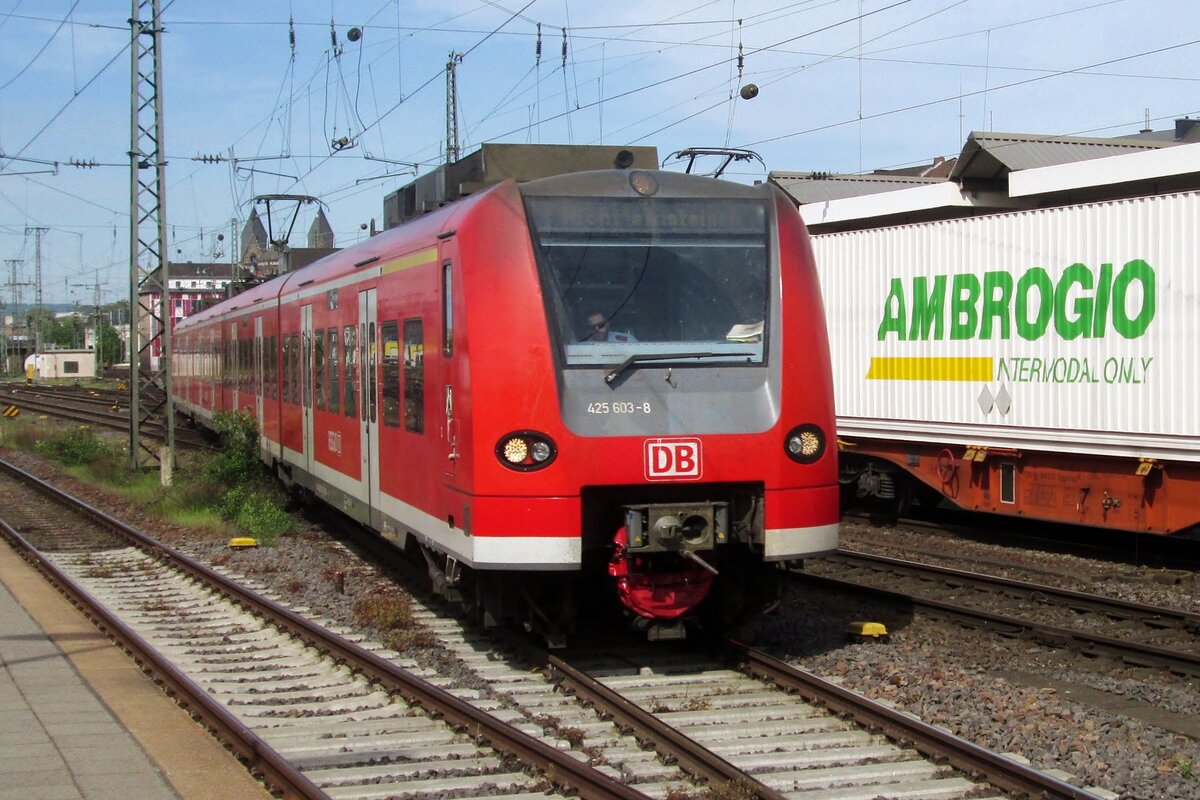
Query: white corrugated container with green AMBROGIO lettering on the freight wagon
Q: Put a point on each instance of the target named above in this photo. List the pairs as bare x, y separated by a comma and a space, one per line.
1071, 329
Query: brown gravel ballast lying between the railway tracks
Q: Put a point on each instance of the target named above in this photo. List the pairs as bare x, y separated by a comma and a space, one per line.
1094, 723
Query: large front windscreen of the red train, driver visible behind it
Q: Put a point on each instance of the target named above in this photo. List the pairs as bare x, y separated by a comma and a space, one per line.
655, 278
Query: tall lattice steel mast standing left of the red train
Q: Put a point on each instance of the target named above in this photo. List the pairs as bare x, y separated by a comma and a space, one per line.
149, 281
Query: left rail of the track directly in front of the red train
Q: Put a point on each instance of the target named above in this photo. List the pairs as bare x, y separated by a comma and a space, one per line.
691, 755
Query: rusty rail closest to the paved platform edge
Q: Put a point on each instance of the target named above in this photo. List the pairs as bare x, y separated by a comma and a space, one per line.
275, 771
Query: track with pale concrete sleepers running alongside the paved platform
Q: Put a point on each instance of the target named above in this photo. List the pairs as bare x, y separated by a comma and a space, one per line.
317, 714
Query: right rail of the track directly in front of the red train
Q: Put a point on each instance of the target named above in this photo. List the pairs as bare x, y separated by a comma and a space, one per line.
934, 743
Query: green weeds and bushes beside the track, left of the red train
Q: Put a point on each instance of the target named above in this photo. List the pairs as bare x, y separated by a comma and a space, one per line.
229, 492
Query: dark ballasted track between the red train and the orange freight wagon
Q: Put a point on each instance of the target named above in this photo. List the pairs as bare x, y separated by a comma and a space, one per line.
1137, 634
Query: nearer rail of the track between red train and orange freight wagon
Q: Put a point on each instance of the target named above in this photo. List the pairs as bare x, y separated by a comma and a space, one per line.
1144, 655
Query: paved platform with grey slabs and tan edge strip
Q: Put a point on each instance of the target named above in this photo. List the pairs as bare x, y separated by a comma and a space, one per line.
79, 720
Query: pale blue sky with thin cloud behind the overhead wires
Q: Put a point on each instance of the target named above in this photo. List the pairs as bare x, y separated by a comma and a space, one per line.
845, 86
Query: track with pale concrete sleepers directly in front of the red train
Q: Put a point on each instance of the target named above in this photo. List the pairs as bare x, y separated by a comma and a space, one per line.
749, 720
